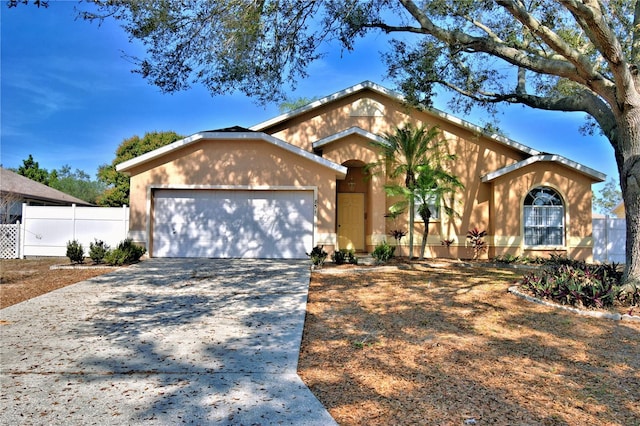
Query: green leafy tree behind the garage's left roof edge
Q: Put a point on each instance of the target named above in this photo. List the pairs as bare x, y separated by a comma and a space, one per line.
117, 183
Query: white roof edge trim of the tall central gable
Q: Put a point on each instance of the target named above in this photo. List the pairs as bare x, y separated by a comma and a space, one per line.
368, 85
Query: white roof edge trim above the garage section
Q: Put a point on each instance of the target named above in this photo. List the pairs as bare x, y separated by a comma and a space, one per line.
227, 135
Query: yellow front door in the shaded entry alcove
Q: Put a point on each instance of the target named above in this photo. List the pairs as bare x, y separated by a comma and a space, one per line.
351, 221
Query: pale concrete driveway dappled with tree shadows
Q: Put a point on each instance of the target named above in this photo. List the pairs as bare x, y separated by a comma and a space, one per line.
198, 341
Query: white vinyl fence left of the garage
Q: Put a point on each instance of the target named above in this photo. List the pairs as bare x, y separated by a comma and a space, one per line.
45, 230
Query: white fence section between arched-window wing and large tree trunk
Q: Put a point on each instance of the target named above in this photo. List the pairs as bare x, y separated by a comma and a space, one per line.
609, 240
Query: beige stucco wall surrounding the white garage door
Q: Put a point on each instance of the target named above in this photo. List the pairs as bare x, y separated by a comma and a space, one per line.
245, 163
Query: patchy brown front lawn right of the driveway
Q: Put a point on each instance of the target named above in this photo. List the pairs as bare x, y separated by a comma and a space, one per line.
450, 345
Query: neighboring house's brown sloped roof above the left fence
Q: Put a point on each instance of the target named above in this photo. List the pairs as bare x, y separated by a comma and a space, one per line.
23, 187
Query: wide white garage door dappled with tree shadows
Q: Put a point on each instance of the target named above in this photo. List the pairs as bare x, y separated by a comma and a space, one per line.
233, 223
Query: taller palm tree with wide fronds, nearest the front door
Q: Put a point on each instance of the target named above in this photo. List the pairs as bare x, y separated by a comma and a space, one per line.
403, 153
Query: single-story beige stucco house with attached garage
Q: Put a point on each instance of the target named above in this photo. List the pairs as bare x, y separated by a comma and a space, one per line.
299, 180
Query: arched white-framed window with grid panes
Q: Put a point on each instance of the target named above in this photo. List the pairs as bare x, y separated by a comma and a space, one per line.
543, 218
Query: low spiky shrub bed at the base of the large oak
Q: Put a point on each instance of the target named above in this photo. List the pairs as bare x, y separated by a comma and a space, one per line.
576, 284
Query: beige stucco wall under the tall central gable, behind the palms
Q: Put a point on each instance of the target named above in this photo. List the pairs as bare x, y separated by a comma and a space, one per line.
476, 155
